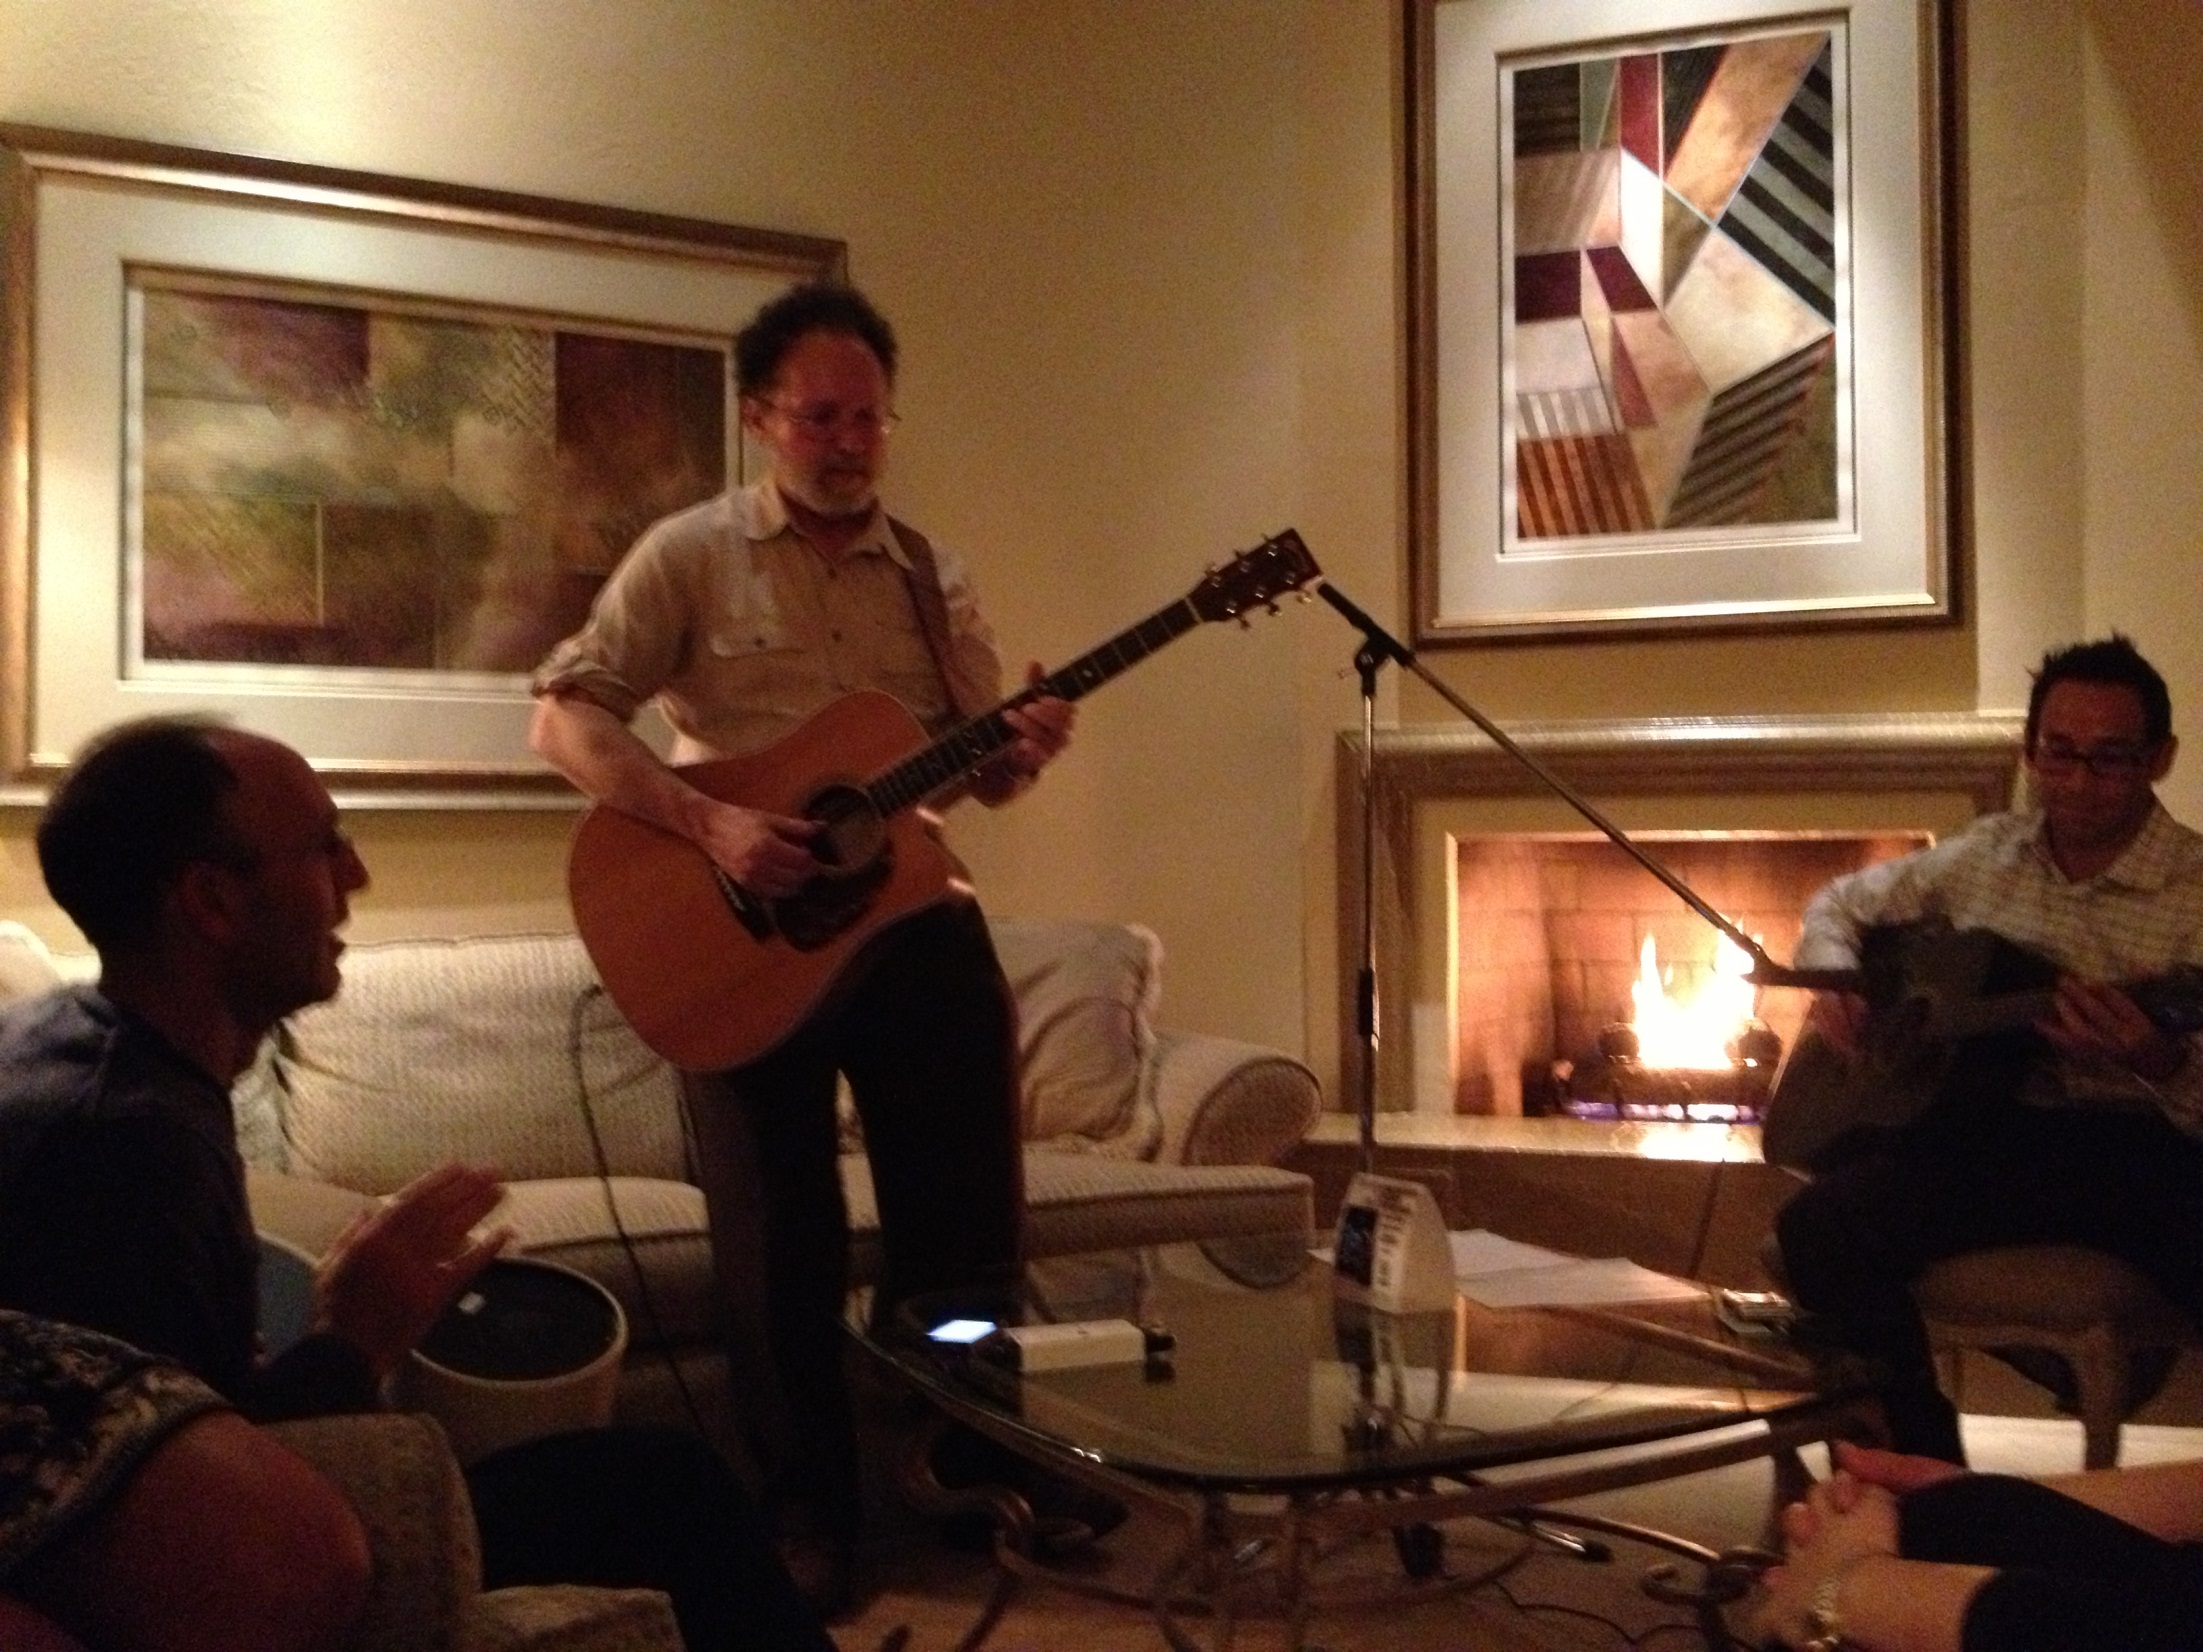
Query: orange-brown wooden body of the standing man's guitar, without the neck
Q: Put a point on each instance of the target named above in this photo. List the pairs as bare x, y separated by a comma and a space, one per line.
710, 977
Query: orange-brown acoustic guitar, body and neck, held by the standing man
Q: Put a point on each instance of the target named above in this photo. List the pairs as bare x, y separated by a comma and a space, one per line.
715, 977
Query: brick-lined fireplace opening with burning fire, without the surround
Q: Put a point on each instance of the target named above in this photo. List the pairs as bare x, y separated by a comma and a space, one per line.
1587, 988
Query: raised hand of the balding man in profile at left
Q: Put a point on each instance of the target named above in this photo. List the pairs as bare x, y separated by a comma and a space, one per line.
387, 1276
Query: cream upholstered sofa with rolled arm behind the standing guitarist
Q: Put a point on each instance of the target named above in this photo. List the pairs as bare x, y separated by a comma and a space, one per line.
506, 1052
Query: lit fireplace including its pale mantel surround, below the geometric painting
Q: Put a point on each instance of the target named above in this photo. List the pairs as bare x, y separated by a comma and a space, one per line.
1510, 933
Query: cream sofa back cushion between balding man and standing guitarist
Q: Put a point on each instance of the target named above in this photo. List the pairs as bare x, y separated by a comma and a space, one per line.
499, 1052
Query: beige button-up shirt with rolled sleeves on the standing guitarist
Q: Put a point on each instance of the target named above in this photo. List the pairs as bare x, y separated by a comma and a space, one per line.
739, 629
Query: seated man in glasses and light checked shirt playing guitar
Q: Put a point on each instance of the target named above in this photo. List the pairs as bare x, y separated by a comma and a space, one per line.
2083, 1129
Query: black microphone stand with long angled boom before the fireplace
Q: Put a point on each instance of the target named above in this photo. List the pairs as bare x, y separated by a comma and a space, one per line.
1380, 649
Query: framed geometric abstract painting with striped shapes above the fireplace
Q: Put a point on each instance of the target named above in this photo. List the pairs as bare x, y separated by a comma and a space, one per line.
1682, 329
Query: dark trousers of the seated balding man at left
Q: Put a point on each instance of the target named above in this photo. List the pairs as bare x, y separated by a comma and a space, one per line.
642, 1508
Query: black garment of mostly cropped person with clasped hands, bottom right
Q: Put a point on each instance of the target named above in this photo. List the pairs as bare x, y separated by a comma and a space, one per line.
2070, 1578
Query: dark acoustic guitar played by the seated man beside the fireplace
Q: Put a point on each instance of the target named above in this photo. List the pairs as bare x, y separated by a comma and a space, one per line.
1944, 1008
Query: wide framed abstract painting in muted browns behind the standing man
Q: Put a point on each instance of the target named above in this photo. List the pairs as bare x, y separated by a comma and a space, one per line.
338, 455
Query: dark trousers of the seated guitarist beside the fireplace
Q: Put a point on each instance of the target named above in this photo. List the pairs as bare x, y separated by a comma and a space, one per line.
1863, 1232
